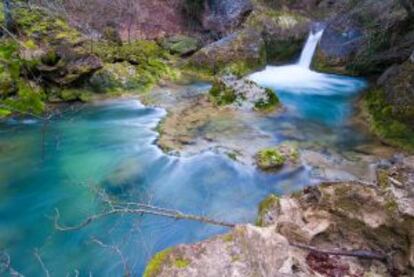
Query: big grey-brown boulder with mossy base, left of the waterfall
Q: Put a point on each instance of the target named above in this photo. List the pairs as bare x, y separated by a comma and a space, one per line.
239, 53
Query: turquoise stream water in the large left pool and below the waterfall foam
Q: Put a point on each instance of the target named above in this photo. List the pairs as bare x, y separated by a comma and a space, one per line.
110, 147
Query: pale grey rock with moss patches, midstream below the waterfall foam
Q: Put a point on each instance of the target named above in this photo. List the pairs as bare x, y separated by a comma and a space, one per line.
242, 94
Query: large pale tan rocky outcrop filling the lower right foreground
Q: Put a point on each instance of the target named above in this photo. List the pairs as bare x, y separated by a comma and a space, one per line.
350, 216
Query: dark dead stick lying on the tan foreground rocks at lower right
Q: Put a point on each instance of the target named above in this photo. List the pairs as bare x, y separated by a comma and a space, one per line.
362, 254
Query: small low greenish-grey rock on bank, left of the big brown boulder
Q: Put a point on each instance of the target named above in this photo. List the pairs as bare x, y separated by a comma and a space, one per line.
181, 45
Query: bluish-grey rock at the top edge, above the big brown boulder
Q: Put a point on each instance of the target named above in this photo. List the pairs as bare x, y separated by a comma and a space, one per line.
223, 16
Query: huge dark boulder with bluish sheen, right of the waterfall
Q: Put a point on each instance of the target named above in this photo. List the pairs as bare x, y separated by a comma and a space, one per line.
364, 37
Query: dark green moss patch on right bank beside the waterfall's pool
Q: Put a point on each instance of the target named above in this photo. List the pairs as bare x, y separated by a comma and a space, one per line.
388, 128
